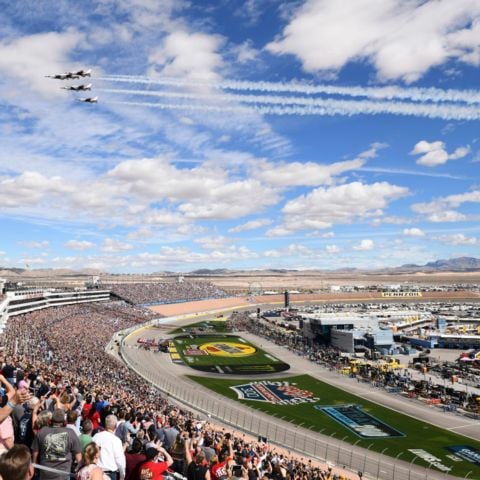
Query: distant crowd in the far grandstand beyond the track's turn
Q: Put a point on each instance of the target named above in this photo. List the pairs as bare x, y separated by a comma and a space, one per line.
165, 292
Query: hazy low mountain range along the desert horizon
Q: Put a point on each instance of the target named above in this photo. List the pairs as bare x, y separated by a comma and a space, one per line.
461, 264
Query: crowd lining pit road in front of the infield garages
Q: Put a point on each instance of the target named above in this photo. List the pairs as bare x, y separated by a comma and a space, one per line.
394, 381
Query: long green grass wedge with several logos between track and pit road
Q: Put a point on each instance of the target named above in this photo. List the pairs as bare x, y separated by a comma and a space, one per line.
401, 433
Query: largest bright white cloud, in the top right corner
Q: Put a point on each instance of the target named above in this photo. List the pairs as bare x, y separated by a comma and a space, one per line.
403, 40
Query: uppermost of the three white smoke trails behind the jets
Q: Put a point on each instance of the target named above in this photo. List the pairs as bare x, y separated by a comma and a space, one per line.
387, 93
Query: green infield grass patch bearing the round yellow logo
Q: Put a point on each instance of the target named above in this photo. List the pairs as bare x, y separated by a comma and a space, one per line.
226, 354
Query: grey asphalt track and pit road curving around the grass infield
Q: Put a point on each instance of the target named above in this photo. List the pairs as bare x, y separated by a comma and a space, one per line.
171, 378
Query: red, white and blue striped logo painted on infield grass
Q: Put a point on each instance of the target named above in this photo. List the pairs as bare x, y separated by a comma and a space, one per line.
278, 393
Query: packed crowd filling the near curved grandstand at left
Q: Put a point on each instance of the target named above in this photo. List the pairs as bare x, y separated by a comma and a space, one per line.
78, 410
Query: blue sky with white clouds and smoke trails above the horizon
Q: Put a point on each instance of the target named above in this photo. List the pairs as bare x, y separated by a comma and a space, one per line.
256, 134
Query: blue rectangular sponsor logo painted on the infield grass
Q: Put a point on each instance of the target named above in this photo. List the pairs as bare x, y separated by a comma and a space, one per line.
360, 422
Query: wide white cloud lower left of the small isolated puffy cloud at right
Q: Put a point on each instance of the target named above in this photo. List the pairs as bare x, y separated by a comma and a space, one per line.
324, 207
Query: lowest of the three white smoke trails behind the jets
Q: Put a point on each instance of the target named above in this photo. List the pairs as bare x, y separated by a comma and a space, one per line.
328, 107
